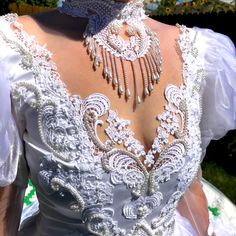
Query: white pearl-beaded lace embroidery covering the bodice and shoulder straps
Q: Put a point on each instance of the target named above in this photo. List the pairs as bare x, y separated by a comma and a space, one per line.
69, 162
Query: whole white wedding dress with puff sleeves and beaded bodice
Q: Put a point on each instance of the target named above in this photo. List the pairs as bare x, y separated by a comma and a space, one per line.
86, 187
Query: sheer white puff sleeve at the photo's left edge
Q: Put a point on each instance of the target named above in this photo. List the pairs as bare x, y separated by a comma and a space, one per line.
10, 142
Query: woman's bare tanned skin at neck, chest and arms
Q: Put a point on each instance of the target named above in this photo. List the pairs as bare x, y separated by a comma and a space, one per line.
64, 38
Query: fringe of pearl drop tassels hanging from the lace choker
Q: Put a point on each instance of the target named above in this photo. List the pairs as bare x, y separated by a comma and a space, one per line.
149, 65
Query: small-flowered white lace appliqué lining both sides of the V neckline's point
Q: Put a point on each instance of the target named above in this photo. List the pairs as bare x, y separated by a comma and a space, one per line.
119, 132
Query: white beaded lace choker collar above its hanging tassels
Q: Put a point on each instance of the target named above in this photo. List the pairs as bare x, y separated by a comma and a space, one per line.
99, 26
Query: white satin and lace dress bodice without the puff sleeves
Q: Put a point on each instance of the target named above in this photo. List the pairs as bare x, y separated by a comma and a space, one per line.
93, 186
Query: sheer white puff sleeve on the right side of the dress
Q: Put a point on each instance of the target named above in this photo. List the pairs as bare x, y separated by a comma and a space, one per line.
219, 86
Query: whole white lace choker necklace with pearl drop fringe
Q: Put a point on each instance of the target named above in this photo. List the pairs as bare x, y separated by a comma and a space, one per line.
106, 46
